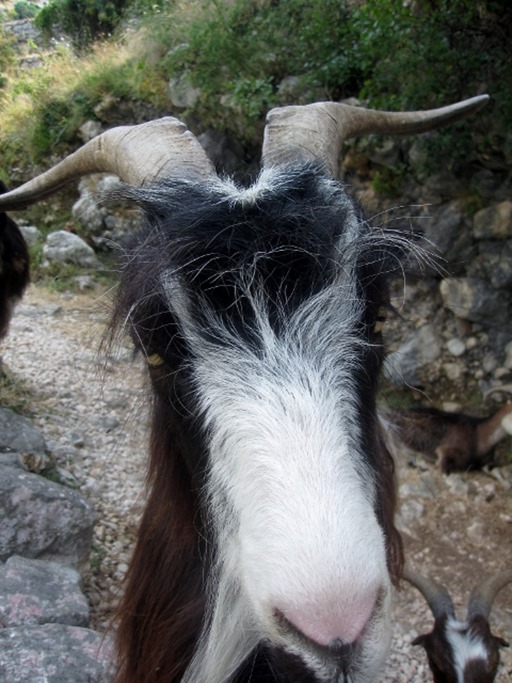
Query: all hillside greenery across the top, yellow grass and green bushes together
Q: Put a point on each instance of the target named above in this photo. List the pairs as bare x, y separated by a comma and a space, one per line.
239, 53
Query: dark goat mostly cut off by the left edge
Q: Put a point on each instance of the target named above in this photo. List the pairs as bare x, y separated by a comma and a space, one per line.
14, 267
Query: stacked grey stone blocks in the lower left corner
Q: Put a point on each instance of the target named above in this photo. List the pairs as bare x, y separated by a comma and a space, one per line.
45, 539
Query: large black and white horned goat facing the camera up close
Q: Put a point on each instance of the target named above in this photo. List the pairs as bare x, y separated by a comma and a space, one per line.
267, 550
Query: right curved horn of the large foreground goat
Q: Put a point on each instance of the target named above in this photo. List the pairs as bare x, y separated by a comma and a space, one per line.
317, 131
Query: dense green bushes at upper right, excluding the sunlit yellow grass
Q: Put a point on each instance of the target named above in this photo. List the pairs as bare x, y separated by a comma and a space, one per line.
388, 53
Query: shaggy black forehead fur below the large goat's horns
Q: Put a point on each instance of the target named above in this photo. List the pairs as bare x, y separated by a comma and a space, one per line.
288, 238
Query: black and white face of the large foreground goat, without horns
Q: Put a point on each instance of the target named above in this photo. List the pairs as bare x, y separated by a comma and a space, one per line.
259, 312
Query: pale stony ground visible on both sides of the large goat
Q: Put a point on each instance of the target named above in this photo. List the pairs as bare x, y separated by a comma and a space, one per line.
88, 401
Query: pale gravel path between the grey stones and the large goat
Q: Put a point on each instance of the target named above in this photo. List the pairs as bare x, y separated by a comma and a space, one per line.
89, 405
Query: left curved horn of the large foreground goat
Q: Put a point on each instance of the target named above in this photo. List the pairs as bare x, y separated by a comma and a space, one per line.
139, 155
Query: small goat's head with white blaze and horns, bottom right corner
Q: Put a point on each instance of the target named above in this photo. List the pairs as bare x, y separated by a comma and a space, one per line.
461, 651
